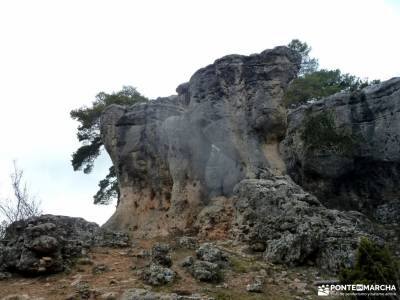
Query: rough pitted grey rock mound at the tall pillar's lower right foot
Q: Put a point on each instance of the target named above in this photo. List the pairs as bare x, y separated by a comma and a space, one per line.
294, 226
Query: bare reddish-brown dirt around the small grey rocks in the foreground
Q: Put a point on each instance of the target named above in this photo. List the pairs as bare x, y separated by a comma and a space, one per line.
123, 264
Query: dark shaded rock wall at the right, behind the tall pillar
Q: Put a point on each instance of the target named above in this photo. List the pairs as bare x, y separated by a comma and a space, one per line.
358, 165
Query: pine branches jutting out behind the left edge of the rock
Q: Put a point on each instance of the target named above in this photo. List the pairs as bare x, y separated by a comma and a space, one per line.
89, 135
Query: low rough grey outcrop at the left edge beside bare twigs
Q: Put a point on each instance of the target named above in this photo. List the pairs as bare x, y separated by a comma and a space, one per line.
48, 243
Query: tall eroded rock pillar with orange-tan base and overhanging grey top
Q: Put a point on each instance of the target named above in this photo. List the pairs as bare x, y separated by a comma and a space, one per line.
175, 154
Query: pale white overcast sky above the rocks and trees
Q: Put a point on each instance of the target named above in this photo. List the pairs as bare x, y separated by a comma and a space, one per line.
57, 55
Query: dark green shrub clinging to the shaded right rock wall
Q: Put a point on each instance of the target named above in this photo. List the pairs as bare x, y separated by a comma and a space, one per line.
320, 133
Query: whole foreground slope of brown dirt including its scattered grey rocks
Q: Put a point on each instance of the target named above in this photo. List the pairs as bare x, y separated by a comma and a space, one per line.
125, 273
